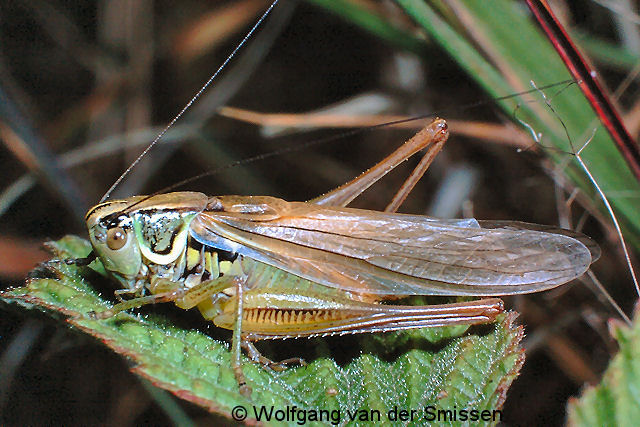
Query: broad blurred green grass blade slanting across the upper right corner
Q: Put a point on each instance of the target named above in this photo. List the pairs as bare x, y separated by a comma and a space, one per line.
500, 46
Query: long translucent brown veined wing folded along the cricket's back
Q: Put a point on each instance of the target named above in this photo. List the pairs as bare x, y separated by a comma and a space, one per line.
393, 254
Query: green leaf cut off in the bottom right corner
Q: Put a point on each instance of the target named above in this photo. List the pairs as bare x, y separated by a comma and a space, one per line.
616, 400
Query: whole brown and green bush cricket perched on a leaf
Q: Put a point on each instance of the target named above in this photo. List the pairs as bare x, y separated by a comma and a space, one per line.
266, 268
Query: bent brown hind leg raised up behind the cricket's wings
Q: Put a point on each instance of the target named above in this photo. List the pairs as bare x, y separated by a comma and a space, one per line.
436, 133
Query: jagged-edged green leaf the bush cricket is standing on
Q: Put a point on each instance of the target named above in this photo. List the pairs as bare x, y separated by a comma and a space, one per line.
466, 369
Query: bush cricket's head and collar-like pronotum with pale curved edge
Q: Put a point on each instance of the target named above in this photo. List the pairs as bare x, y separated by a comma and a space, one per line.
129, 235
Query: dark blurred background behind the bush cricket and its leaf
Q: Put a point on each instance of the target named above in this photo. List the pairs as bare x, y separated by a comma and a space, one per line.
80, 72
